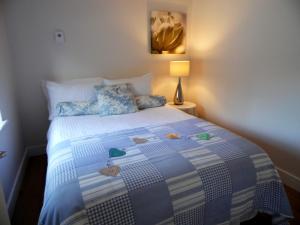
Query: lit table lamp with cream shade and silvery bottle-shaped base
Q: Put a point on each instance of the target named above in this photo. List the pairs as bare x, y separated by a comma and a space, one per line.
179, 69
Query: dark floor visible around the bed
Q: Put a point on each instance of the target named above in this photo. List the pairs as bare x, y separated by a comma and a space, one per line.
30, 199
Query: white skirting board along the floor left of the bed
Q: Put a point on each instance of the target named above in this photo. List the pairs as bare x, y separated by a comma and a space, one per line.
29, 152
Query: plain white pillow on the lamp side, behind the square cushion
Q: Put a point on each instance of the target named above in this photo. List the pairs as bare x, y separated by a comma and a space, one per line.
141, 85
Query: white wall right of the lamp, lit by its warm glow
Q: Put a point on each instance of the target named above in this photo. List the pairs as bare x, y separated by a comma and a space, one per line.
246, 71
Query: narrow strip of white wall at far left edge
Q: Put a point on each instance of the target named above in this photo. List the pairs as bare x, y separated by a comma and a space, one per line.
10, 139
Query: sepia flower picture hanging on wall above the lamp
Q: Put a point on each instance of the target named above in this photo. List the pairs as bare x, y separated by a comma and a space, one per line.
168, 32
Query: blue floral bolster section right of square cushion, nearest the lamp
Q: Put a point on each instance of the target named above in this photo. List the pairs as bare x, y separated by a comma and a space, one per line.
150, 101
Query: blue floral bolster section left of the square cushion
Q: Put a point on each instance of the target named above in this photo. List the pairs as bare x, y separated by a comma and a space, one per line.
77, 108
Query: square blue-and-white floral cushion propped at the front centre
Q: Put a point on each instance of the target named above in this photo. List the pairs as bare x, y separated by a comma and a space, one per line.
115, 100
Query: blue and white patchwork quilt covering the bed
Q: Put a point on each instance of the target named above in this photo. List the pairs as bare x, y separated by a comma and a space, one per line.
223, 180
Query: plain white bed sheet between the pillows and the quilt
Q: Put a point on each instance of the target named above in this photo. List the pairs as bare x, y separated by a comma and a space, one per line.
64, 128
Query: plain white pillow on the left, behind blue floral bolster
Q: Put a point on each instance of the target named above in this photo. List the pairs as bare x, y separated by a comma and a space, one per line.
69, 91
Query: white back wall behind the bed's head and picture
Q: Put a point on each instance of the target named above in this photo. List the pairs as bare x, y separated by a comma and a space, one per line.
107, 38
